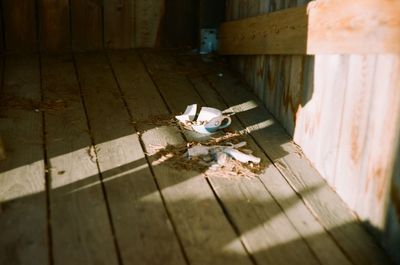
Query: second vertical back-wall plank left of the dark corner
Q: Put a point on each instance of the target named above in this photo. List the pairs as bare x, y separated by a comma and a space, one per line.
119, 24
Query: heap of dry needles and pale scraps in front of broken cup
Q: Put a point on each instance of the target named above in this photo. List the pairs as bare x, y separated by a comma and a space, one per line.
216, 157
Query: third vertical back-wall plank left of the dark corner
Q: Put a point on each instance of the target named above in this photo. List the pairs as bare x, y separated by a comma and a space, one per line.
86, 25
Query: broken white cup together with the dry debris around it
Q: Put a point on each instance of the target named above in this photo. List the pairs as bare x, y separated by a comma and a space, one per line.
224, 155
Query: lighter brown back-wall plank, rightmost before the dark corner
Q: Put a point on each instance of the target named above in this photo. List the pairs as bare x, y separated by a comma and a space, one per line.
149, 15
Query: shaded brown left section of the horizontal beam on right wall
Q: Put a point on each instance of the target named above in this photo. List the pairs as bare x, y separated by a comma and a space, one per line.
281, 32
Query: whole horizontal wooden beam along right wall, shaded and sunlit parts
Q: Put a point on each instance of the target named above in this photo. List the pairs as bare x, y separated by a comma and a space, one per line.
321, 27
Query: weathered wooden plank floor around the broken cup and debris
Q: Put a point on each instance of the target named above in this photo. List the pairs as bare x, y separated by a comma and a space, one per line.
81, 183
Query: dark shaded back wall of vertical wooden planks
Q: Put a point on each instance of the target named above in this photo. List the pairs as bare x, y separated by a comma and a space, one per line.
60, 25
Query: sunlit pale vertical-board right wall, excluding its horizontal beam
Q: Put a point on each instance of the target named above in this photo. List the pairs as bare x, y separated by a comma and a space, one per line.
343, 110
